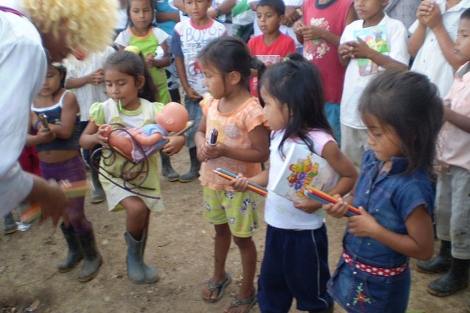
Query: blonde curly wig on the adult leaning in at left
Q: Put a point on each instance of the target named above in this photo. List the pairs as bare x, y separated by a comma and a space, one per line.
90, 24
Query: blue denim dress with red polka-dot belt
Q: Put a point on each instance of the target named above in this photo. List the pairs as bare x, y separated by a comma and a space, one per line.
371, 277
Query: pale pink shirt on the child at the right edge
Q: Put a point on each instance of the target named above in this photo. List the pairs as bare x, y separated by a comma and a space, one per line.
454, 143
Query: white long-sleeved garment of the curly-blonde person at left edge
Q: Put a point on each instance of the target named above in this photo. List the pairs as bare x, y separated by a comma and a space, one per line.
23, 69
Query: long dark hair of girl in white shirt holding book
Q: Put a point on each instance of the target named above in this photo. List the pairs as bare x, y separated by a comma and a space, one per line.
296, 83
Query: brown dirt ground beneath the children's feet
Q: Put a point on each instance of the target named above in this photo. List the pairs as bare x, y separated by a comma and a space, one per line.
180, 247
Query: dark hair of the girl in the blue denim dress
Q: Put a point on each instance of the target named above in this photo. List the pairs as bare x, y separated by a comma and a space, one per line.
410, 103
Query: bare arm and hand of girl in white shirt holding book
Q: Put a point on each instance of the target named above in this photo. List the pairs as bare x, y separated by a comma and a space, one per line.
345, 169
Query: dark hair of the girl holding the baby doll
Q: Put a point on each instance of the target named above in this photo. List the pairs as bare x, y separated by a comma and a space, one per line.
133, 65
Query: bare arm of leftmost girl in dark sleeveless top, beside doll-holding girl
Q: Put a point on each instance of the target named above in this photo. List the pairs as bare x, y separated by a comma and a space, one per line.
70, 109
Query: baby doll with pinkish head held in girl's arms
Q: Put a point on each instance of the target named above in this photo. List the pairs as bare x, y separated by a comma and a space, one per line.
149, 138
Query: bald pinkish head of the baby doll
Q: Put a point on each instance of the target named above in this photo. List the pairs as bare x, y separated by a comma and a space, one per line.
173, 117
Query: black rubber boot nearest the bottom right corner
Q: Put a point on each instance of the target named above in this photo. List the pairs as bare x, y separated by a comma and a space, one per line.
456, 279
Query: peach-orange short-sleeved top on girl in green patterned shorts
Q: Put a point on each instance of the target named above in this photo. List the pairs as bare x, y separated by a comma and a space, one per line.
233, 128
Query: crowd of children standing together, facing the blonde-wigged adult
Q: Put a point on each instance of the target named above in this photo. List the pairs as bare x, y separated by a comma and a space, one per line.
387, 107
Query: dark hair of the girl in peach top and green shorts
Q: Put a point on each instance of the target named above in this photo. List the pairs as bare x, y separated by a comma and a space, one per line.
230, 54
